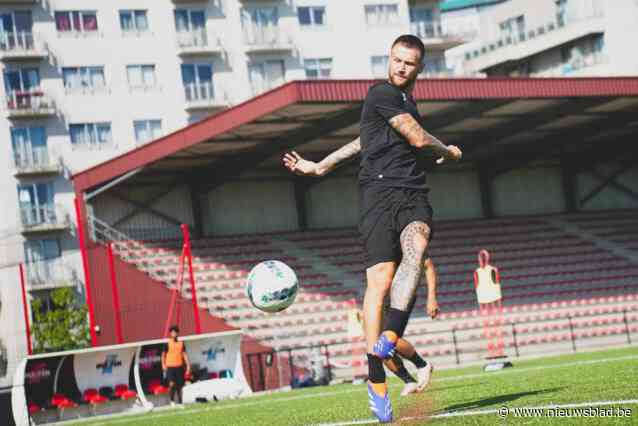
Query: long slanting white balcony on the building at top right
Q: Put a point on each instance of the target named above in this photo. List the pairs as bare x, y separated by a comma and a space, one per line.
515, 47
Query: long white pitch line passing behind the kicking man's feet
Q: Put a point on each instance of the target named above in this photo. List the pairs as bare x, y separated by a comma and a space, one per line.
358, 389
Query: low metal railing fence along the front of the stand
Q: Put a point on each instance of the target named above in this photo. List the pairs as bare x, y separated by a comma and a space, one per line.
301, 366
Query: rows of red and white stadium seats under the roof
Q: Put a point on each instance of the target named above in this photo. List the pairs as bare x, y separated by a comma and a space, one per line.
557, 284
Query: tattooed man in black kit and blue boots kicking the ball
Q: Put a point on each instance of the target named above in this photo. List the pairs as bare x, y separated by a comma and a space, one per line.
395, 214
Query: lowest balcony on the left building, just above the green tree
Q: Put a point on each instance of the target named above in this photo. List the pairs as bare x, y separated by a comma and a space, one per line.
51, 273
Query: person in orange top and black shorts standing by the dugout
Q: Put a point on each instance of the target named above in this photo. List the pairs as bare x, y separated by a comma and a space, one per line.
174, 359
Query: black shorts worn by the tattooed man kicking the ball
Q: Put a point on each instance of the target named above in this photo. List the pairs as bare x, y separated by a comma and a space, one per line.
384, 213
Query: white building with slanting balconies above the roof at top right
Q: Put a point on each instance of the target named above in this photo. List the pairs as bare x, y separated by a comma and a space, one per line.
544, 38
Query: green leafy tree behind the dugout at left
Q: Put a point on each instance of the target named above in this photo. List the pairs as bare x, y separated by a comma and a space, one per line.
63, 327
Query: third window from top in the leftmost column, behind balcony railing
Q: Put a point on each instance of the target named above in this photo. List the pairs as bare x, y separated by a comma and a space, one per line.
29, 147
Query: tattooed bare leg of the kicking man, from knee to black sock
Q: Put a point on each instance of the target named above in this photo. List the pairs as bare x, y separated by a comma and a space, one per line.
409, 271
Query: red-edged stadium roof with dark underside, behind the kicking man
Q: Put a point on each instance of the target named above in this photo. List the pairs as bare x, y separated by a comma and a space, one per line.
488, 116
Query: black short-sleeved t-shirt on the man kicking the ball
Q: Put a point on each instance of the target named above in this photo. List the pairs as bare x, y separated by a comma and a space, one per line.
387, 159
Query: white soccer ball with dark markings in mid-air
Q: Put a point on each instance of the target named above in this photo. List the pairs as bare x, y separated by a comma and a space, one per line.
272, 286
